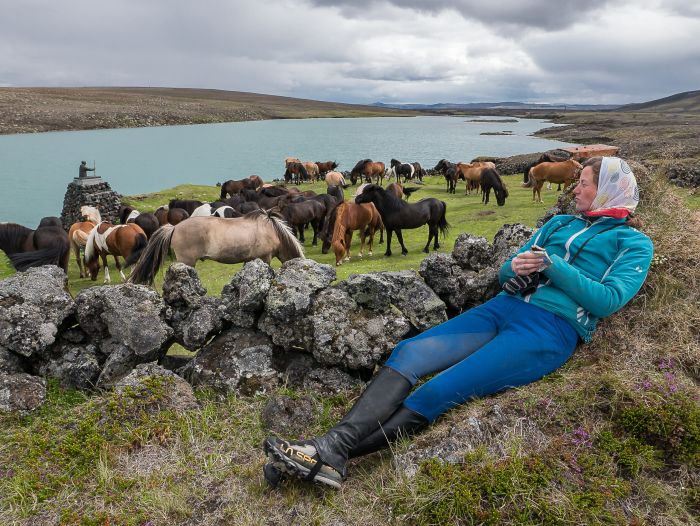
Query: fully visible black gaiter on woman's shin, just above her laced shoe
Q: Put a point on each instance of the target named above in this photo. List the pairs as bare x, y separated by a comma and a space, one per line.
385, 393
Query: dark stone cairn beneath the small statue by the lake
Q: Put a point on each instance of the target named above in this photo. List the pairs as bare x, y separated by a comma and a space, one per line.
90, 191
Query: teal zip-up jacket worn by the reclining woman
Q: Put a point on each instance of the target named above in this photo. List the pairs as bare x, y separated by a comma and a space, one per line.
605, 275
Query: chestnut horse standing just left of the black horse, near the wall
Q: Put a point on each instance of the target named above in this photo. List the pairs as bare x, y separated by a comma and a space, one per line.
350, 217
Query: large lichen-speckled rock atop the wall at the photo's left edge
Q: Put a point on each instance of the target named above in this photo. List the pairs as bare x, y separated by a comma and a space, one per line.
33, 306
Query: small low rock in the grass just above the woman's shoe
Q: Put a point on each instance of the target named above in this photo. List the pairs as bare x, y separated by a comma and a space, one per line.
286, 416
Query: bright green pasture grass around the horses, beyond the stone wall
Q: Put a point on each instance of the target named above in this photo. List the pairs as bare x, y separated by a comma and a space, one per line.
464, 213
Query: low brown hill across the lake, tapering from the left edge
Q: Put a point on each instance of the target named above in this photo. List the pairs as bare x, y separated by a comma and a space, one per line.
52, 109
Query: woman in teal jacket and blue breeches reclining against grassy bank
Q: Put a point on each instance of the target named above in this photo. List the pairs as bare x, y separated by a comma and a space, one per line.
572, 272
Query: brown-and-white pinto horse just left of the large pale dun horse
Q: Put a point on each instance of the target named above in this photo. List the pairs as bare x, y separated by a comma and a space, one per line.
127, 241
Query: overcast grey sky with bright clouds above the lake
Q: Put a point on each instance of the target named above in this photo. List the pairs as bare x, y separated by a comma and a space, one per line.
591, 51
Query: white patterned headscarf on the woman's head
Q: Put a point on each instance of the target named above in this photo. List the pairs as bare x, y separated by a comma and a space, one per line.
617, 187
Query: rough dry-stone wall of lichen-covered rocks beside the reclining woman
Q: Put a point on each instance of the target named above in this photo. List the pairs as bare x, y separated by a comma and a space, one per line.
292, 326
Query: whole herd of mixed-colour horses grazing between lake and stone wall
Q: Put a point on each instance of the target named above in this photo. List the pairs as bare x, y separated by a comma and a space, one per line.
252, 219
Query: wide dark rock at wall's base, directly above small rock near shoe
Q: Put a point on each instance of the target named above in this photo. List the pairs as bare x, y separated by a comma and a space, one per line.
236, 361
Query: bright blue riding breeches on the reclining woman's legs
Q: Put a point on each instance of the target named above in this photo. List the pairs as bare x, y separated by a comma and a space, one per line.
503, 343
